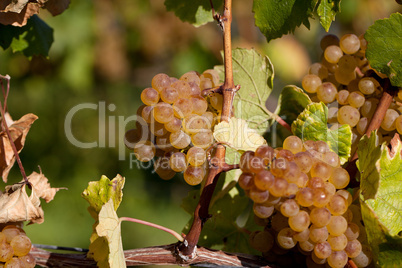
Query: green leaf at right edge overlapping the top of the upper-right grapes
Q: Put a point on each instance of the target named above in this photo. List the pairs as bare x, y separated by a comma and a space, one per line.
384, 48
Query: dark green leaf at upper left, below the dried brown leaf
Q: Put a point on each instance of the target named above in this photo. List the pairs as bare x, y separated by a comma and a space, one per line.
35, 38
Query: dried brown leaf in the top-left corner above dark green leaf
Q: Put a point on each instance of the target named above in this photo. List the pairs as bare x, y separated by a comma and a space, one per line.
19, 19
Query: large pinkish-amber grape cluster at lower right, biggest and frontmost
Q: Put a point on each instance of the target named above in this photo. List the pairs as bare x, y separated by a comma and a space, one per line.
298, 196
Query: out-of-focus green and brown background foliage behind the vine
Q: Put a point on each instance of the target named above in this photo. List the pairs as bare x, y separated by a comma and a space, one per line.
106, 52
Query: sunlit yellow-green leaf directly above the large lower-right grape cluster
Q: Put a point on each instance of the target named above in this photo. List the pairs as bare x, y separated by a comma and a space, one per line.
311, 124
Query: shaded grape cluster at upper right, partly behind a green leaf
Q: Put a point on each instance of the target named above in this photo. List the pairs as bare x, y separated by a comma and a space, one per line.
345, 81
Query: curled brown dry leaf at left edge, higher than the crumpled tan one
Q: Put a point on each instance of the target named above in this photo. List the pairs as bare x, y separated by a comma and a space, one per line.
18, 131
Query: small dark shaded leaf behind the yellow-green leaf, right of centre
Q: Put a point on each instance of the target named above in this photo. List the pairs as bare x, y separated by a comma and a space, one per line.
292, 101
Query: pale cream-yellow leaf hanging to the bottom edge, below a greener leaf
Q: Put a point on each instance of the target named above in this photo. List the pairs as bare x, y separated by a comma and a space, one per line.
109, 229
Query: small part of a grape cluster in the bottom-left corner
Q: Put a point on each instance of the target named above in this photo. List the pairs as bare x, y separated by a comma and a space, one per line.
15, 247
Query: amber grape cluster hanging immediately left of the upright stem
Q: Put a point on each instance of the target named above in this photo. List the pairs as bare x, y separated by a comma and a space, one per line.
175, 124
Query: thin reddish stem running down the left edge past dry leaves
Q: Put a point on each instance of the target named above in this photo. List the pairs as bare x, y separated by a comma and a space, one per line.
5, 127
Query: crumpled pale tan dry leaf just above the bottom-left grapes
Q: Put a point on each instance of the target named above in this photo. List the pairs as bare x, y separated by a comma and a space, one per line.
16, 205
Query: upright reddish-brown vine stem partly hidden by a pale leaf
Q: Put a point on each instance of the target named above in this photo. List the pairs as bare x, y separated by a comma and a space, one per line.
201, 215
